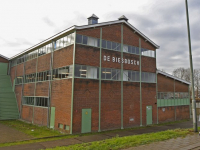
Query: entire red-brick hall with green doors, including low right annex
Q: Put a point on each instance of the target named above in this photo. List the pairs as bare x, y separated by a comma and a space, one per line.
91, 78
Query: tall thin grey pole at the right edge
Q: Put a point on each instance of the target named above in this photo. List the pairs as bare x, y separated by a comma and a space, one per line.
191, 70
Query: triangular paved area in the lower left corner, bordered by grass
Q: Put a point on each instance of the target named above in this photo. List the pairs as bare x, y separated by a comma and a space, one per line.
8, 134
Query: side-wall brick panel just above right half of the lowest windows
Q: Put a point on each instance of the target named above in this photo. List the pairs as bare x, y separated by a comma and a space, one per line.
42, 88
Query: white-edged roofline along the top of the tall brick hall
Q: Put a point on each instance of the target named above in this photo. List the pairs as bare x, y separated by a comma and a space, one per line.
85, 27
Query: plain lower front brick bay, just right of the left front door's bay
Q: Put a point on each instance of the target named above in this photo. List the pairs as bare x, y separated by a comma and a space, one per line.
110, 105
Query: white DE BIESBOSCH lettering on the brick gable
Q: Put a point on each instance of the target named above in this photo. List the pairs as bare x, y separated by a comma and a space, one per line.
123, 61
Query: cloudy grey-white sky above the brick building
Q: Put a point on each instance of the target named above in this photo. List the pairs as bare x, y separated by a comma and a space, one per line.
25, 23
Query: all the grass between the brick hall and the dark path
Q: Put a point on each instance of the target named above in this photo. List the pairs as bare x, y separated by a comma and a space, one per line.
42, 132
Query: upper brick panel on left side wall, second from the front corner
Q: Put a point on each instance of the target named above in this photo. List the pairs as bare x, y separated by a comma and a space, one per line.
44, 62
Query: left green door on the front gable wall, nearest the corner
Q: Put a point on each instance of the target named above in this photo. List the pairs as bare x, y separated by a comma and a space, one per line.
86, 121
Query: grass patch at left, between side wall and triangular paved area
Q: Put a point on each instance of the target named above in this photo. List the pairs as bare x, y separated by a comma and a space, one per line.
30, 129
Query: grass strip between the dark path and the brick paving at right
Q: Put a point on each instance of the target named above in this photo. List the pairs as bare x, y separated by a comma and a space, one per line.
128, 141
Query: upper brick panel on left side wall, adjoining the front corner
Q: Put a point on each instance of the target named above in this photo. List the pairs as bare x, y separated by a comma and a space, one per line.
63, 57
